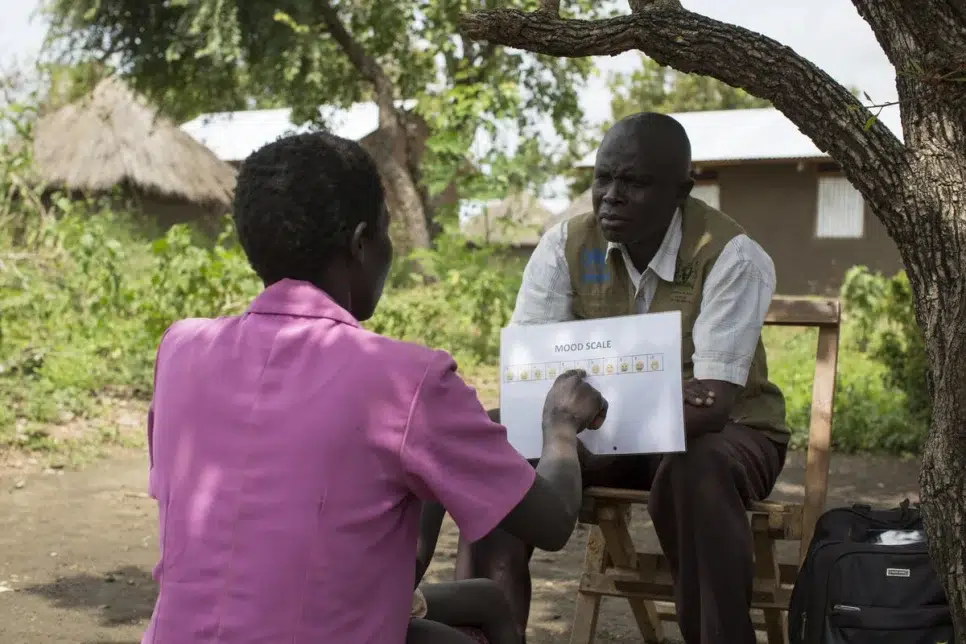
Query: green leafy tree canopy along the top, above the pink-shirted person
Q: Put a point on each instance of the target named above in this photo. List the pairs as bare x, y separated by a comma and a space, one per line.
221, 55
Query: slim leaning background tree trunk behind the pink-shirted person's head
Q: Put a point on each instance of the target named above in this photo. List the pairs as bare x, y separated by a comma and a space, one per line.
392, 158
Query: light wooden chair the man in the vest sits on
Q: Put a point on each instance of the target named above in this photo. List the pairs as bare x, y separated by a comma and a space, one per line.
613, 567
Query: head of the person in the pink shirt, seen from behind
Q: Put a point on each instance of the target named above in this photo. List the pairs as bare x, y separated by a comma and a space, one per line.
311, 207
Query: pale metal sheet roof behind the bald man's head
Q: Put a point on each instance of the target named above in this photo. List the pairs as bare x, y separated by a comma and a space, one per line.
749, 135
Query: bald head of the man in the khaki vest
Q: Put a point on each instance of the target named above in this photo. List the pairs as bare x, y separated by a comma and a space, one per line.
642, 176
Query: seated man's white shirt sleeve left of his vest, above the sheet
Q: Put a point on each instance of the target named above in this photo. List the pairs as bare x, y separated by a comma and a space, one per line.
545, 293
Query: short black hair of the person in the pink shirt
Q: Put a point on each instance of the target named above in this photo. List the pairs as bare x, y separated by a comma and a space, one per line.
298, 201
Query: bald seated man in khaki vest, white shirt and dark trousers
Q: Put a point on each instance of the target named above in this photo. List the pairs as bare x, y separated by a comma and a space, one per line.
649, 247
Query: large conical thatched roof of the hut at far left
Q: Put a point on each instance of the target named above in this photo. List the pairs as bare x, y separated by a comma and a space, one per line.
114, 138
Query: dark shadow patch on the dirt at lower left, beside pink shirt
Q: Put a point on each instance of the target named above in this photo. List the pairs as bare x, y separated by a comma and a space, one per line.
123, 596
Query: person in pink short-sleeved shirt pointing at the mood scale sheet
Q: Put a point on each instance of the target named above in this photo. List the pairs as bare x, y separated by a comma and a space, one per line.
291, 449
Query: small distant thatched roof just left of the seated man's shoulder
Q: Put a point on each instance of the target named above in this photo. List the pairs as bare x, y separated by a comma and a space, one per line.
517, 220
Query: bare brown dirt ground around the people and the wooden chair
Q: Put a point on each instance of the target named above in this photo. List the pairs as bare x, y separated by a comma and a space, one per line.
77, 547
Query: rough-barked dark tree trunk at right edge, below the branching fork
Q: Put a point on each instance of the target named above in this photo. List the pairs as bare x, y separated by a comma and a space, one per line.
932, 251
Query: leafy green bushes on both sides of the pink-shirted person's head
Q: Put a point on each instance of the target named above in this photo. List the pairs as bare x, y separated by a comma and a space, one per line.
82, 307
